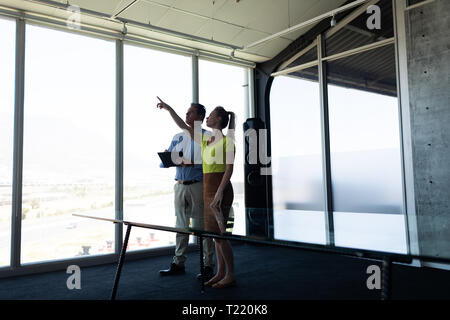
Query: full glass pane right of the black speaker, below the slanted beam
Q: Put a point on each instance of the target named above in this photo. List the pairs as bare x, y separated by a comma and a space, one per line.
297, 159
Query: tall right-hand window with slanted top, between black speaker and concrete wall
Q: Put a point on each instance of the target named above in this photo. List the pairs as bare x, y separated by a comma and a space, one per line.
361, 138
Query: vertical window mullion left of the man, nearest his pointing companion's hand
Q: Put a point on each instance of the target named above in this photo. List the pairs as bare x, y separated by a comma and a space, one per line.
119, 146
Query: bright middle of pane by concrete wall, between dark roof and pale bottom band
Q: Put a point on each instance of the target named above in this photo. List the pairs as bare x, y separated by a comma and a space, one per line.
365, 151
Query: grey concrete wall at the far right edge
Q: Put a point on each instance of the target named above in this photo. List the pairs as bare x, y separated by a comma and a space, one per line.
428, 64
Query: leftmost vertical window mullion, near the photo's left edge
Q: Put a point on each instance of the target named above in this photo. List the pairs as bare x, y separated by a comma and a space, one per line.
16, 210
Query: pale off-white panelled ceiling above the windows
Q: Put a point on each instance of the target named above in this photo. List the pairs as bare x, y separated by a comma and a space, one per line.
237, 23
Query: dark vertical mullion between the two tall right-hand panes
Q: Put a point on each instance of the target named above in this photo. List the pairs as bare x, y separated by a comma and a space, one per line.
326, 161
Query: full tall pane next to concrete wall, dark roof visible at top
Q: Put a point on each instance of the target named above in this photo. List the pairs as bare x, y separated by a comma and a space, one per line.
365, 152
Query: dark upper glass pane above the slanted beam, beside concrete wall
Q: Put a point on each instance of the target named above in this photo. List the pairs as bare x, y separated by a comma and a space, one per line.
367, 28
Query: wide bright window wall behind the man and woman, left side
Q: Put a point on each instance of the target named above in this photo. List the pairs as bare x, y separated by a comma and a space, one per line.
69, 140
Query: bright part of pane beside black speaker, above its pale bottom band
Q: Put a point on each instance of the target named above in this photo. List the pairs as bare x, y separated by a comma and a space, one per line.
296, 144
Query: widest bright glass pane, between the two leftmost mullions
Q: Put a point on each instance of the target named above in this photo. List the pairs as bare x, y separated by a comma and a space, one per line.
68, 145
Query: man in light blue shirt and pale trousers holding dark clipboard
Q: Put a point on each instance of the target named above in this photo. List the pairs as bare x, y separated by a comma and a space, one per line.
189, 196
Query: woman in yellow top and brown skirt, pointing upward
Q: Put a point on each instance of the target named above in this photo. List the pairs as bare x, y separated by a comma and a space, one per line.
218, 157
